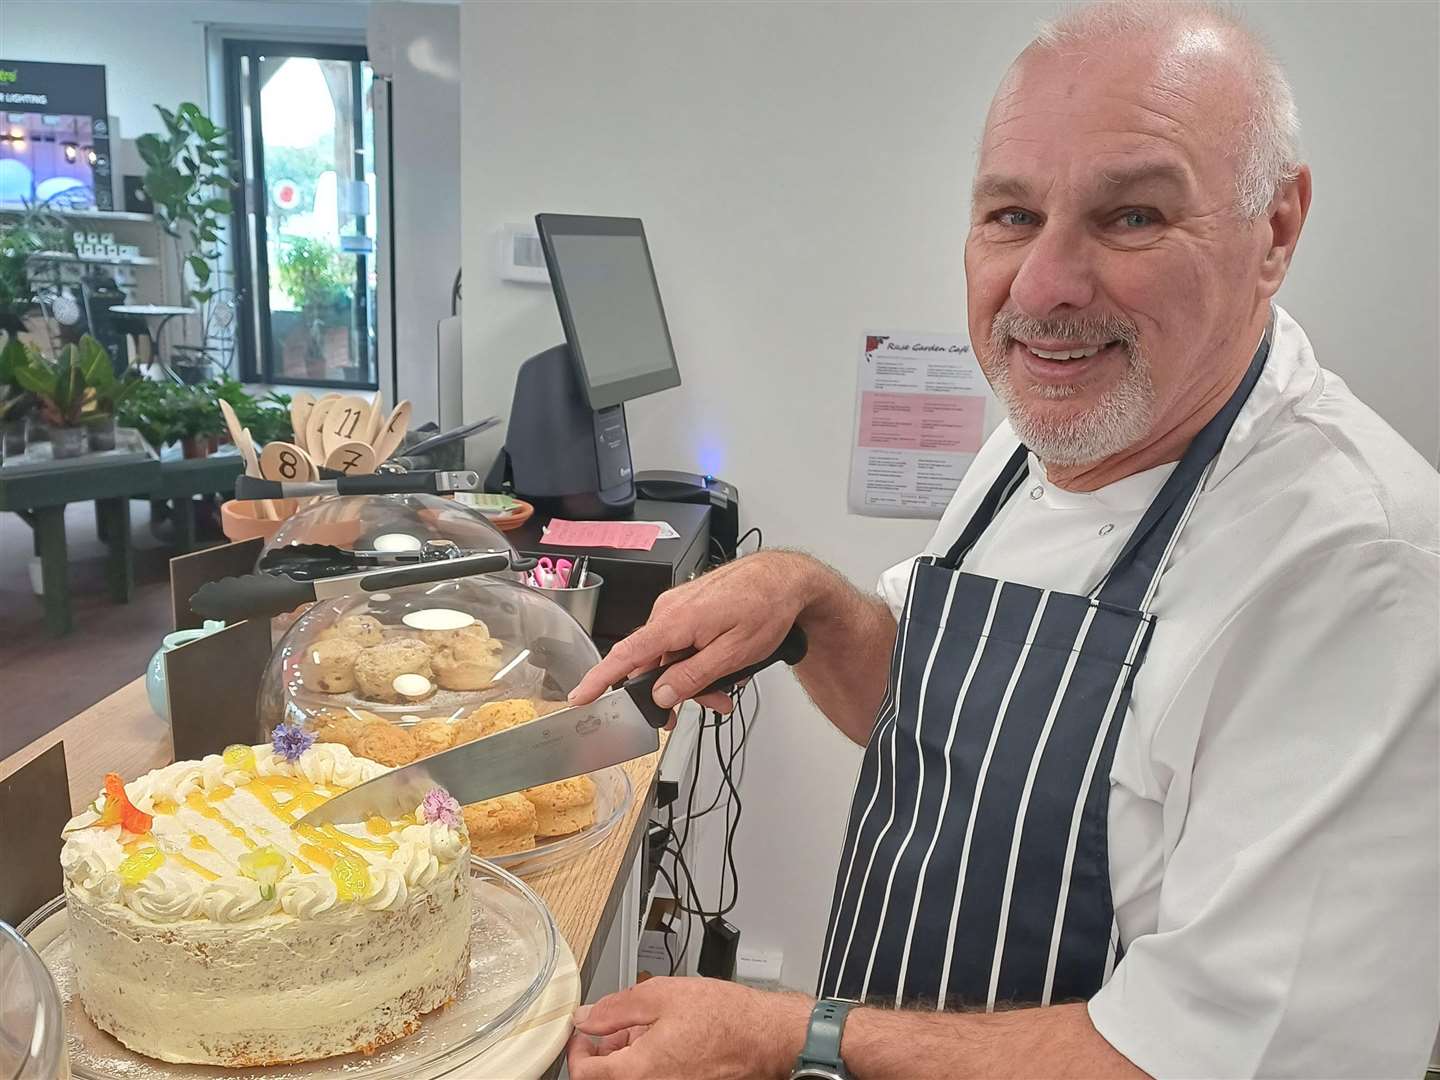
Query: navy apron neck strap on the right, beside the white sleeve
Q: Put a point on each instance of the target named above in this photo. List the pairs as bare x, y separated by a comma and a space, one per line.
1131, 581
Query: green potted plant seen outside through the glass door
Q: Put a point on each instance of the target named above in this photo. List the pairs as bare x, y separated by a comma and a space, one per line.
316, 279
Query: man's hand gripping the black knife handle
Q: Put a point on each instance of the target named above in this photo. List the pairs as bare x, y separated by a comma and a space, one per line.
731, 617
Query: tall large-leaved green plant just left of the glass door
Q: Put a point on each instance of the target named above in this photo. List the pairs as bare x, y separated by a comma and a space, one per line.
189, 174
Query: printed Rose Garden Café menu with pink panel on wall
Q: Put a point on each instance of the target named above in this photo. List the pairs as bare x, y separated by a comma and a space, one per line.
919, 421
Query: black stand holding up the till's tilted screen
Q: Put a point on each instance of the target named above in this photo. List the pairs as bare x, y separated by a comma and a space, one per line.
562, 456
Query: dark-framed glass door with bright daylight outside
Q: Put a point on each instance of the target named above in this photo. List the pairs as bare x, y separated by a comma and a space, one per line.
305, 220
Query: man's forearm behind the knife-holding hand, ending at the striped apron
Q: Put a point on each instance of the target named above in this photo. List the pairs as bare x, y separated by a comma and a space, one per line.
852, 637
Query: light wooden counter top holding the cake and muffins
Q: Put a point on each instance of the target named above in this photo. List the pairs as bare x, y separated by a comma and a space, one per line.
122, 735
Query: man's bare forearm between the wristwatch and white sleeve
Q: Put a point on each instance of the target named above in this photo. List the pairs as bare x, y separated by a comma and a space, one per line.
1059, 1042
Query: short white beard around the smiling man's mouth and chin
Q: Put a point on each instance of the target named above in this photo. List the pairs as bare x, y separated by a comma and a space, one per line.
1118, 421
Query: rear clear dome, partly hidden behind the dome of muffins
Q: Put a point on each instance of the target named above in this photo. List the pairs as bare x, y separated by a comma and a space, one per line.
387, 523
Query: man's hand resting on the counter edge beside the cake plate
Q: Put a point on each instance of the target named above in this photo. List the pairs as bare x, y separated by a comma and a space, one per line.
693, 1029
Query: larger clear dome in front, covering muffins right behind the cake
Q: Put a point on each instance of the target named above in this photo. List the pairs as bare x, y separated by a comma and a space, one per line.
473, 653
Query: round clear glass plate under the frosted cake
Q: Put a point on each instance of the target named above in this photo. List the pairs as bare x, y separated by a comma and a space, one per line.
512, 958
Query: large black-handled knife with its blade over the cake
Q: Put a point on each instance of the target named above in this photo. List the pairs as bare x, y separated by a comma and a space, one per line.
621, 725
